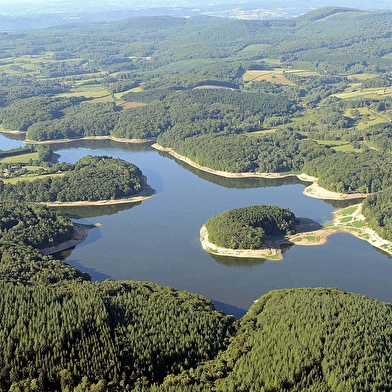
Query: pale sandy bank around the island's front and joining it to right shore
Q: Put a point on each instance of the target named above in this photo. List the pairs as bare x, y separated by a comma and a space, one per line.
352, 223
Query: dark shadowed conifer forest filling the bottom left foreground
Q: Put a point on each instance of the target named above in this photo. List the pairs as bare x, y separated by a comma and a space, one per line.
125, 333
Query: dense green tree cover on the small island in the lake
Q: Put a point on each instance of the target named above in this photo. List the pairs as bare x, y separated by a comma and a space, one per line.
248, 227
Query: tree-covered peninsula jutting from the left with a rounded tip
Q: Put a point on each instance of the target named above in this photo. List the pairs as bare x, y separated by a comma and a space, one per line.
90, 179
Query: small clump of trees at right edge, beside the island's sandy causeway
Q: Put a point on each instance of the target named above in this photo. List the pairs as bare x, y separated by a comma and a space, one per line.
377, 209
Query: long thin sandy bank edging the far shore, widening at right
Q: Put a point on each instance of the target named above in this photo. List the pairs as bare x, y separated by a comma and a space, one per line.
314, 190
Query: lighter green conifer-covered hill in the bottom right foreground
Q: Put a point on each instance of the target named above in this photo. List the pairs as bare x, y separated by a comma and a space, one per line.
302, 340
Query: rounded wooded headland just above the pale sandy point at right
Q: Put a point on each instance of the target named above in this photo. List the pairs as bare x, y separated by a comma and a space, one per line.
352, 172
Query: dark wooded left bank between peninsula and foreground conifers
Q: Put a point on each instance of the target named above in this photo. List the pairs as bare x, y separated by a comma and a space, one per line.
24, 229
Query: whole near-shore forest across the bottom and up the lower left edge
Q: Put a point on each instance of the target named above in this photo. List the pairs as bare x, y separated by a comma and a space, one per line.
145, 337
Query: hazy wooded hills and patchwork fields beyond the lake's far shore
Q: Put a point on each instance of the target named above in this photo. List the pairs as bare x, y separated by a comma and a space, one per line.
204, 85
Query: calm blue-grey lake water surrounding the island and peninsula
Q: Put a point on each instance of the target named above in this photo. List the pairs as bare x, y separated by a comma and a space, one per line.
158, 240
